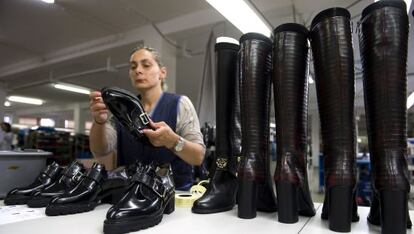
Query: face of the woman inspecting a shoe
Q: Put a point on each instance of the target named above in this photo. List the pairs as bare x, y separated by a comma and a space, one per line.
144, 72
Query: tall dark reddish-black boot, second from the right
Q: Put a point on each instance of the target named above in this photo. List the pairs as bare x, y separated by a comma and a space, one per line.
331, 42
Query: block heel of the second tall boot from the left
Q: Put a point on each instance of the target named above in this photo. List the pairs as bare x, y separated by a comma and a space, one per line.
247, 199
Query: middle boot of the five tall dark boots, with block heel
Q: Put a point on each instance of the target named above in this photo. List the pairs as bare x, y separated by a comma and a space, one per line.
290, 59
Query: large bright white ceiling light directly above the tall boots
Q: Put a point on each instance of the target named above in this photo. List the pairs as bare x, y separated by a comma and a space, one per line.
242, 15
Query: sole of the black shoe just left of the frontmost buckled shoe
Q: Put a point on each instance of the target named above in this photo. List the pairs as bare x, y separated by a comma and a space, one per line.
70, 208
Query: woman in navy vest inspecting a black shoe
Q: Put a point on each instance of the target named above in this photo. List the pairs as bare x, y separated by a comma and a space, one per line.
177, 129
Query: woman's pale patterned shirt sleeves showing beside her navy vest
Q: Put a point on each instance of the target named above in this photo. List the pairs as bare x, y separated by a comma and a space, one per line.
187, 126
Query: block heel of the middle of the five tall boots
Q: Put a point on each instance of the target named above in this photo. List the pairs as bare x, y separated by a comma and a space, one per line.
287, 200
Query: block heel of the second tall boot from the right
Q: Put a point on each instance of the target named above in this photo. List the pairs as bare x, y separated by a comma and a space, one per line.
340, 208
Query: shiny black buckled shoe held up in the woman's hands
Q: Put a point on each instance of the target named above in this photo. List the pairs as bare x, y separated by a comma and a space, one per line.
128, 110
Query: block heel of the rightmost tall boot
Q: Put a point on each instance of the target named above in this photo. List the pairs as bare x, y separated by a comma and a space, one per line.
393, 208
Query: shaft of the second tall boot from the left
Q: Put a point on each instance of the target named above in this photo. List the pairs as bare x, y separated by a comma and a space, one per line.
255, 77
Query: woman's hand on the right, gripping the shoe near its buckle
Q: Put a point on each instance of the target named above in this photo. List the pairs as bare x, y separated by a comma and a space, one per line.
163, 135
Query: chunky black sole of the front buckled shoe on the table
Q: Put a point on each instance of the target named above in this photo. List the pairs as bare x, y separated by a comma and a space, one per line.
137, 223
